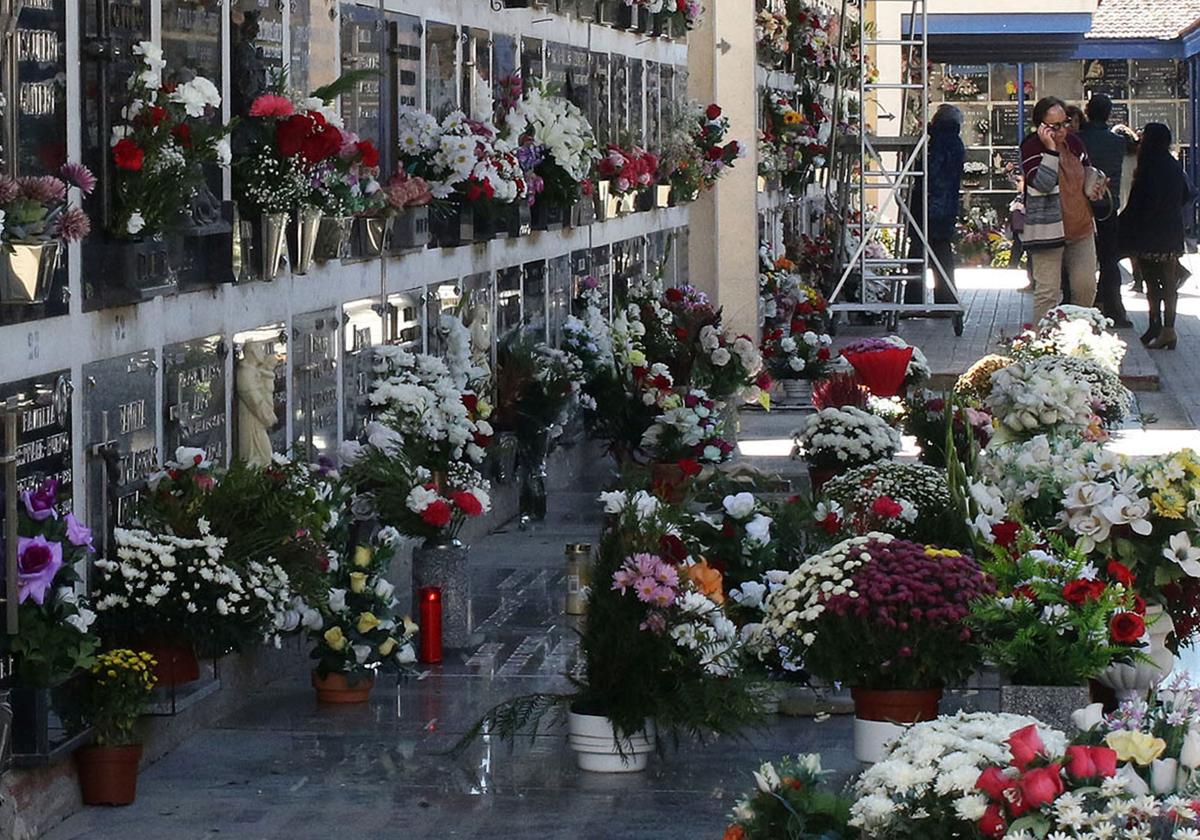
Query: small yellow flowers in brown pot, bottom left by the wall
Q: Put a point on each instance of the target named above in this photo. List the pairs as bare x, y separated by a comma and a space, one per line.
117, 694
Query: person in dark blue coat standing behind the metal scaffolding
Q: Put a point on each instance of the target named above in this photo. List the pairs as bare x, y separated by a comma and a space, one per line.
947, 155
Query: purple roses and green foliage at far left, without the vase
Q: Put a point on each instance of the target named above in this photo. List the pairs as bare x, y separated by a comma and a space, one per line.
55, 640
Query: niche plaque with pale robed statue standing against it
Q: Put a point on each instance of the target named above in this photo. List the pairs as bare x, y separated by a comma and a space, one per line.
261, 394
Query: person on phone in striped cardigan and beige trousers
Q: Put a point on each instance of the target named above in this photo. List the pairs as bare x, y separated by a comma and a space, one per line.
1059, 227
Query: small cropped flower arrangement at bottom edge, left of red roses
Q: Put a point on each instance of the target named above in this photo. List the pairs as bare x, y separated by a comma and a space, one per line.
790, 802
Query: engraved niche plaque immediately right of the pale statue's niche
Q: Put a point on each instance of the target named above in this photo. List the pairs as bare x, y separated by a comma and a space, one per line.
315, 383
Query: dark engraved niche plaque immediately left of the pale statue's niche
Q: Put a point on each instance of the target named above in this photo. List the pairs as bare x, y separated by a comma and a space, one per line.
194, 393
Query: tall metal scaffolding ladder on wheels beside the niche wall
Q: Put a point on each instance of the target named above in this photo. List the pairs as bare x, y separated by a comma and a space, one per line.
892, 167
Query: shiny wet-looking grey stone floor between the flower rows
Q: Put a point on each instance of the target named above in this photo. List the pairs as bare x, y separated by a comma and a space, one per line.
285, 769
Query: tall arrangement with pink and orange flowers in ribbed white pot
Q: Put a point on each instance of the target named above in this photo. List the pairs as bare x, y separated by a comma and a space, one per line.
662, 611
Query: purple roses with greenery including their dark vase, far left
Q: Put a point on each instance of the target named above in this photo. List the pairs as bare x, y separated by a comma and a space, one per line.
55, 643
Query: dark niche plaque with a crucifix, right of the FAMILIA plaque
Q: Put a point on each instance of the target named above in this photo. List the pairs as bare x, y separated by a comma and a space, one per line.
121, 437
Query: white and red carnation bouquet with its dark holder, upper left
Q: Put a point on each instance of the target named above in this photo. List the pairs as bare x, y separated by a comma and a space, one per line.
170, 135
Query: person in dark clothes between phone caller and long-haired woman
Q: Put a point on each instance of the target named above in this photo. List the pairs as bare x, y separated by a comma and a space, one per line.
1107, 152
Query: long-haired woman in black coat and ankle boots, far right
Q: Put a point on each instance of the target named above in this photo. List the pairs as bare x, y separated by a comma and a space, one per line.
1153, 231
